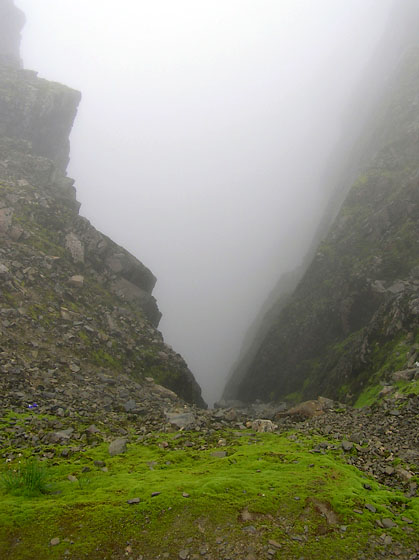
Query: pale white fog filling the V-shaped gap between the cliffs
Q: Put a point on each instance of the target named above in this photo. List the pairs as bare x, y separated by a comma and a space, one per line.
203, 133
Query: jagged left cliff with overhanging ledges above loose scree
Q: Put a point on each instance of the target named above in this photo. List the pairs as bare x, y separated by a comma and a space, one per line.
71, 300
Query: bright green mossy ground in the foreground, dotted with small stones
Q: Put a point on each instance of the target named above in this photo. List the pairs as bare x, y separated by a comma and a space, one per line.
267, 487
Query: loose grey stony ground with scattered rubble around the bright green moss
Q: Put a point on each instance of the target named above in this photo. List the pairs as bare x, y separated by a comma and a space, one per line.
83, 410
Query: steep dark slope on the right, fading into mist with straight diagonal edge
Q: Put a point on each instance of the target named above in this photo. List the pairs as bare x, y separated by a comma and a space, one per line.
353, 317
